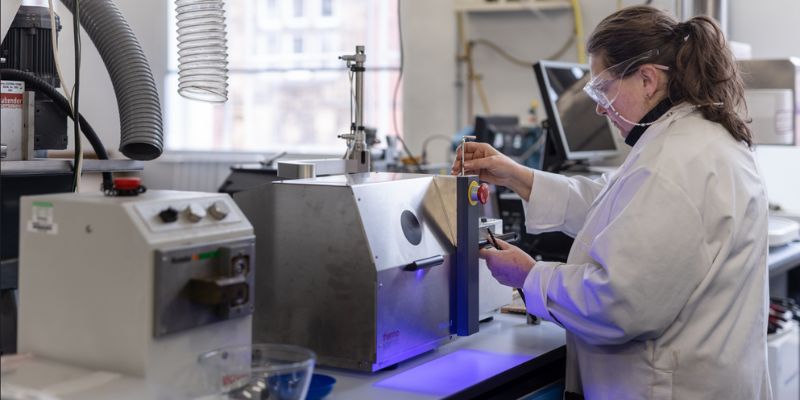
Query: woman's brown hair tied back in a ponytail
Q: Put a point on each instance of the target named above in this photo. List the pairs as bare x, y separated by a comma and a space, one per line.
702, 69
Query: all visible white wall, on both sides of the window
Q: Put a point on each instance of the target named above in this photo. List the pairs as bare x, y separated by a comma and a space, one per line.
430, 78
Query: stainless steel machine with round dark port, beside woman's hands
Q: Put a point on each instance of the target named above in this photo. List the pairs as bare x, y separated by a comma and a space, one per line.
365, 269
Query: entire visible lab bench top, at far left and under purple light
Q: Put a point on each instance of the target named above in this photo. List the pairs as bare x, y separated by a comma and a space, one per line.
506, 359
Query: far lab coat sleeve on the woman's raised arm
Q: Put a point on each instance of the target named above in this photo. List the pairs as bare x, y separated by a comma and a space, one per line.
560, 203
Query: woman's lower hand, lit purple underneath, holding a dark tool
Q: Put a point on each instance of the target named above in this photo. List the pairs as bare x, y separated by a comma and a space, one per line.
509, 265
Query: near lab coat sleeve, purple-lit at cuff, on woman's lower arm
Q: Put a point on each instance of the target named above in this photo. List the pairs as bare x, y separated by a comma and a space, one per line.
647, 261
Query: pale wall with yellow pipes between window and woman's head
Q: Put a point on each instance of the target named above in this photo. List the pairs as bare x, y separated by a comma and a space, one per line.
430, 86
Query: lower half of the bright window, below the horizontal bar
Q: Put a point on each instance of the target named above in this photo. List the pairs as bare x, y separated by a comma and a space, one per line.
302, 111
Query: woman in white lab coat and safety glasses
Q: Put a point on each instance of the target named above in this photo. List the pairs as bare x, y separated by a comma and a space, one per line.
664, 293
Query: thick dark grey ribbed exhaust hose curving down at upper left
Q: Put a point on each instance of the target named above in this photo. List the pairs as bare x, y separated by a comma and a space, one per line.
141, 131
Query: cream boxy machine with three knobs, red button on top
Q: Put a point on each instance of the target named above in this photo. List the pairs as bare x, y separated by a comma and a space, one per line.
136, 285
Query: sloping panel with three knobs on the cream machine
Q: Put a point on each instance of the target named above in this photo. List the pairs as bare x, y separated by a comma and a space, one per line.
166, 216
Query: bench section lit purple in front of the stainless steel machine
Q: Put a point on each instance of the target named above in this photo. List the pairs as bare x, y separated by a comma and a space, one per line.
506, 359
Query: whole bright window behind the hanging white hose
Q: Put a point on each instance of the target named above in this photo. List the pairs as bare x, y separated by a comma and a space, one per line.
287, 89
